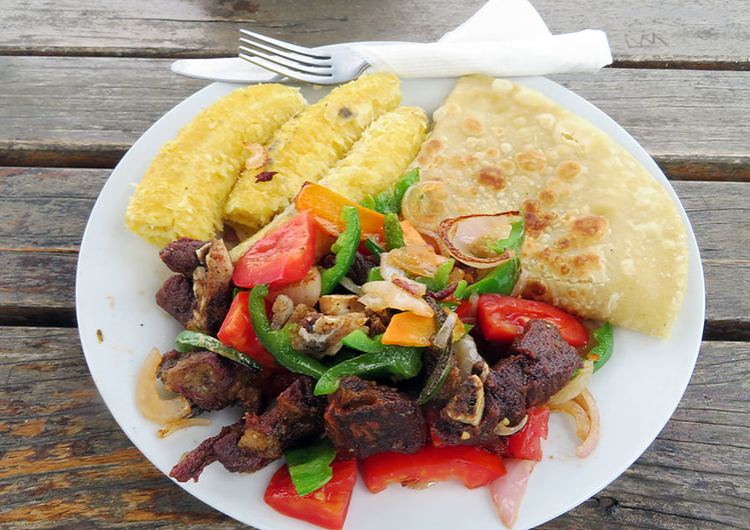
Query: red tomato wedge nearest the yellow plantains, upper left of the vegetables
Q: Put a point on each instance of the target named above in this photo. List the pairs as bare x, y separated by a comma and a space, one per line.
284, 256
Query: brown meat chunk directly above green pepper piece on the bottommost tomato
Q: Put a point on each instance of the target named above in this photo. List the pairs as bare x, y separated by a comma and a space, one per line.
297, 414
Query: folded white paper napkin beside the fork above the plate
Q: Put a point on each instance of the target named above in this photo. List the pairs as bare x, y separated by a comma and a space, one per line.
504, 38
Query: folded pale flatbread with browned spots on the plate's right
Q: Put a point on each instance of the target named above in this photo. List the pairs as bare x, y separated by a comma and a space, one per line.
604, 239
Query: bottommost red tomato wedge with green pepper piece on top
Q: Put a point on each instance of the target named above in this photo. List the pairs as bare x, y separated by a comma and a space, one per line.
326, 507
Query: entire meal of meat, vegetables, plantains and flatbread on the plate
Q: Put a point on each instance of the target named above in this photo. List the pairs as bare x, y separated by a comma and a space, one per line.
378, 300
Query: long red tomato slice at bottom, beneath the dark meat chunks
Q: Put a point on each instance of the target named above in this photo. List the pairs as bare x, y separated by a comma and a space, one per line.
473, 466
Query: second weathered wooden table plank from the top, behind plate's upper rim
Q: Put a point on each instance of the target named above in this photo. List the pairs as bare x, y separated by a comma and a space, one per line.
49, 118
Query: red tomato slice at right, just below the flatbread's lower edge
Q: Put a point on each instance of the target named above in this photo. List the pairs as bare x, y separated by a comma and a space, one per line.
502, 318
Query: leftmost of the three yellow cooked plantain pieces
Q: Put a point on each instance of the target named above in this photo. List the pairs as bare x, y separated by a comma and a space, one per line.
183, 192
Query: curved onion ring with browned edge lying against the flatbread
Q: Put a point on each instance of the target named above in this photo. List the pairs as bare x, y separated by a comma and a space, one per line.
461, 234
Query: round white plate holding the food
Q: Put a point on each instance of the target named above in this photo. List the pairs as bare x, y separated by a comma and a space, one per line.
118, 275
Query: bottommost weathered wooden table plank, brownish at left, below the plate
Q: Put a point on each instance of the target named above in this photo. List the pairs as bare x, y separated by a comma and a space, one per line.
67, 464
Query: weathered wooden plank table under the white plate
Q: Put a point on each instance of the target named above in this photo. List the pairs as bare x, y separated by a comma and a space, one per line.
80, 81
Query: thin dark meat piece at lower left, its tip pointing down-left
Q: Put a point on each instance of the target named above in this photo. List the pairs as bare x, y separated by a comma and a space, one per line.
221, 448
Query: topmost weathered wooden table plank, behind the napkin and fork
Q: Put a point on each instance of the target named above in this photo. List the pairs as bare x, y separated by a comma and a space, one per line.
698, 33
